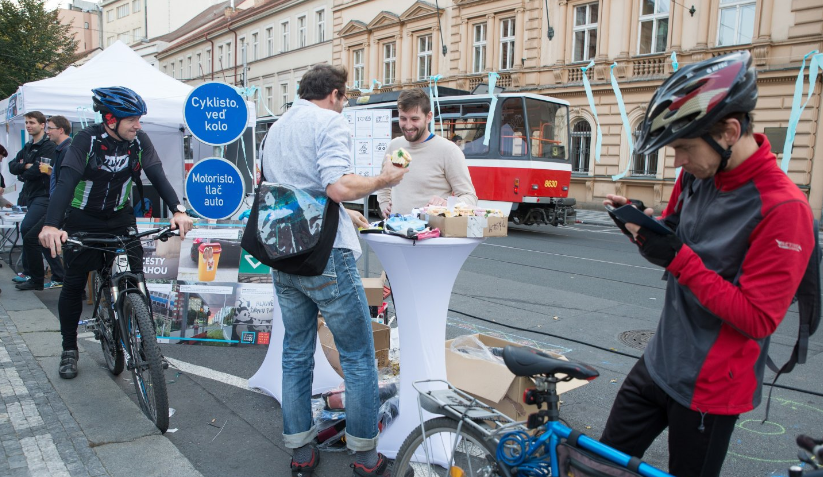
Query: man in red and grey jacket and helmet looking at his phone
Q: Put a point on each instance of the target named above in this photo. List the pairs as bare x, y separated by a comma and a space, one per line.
743, 238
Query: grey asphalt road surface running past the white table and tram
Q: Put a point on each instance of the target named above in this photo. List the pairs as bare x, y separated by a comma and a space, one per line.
575, 289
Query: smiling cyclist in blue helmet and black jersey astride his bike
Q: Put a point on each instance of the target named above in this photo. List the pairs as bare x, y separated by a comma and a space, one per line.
96, 177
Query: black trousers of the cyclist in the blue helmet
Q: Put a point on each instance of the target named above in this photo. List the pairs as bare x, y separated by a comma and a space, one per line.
80, 263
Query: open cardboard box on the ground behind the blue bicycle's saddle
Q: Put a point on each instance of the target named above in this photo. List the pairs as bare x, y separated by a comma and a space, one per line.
493, 383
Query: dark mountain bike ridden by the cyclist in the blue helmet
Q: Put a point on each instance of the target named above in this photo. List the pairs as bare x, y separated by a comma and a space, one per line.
122, 319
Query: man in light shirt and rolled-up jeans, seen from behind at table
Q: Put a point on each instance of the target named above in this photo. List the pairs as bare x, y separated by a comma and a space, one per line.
309, 148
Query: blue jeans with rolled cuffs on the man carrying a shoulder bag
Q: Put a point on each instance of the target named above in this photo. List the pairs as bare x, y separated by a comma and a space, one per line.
338, 294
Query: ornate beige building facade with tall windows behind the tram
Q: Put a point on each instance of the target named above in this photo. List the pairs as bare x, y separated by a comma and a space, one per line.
401, 44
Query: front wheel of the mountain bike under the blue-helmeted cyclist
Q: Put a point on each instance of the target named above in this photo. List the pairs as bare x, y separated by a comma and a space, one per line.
146, 365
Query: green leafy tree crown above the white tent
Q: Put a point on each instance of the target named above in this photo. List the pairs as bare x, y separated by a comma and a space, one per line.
34, 45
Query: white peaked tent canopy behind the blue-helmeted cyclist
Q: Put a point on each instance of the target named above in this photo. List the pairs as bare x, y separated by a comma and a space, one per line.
69, 94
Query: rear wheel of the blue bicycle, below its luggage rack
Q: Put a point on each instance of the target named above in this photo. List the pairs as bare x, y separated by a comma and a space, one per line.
442, 448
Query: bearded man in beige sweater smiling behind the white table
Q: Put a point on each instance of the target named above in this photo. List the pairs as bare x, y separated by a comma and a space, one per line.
438, 168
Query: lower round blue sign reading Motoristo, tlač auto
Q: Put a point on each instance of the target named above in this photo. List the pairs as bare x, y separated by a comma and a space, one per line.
215, 188
